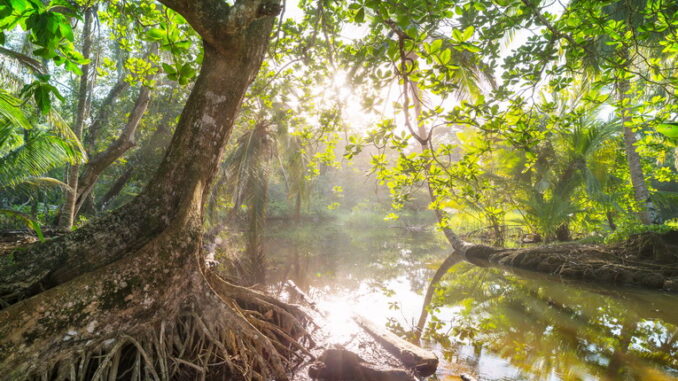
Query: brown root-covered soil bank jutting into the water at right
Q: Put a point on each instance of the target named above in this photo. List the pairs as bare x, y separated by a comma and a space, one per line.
647, 260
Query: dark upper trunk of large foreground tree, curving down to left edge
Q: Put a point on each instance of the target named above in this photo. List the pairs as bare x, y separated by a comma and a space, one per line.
189, 166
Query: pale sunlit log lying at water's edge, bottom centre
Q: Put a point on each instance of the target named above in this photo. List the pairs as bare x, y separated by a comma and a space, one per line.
423, 362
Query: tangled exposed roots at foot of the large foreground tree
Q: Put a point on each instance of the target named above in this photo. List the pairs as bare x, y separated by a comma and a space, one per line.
212, 338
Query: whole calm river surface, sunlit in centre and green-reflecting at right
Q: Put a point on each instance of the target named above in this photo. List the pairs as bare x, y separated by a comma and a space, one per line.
492, 323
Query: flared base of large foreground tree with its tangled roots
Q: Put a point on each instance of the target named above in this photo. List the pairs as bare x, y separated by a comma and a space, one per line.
155, 315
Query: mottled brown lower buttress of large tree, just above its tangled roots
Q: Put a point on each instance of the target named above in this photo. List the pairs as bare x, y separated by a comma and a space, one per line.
97, 305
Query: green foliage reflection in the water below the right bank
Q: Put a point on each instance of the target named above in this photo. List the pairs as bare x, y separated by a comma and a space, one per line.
547, 328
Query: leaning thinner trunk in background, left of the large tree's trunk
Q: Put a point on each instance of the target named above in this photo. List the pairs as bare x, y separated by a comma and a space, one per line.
122, 144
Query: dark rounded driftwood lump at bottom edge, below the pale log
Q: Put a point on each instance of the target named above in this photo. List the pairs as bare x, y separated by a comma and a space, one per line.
338, 364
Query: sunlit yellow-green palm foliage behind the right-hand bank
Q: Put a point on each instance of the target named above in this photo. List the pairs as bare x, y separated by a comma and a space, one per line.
568, 161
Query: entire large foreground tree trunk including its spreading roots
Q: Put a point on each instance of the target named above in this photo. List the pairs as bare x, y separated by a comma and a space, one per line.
134, 281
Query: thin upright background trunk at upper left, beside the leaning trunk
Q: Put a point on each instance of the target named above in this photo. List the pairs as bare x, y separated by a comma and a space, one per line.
68, 211
